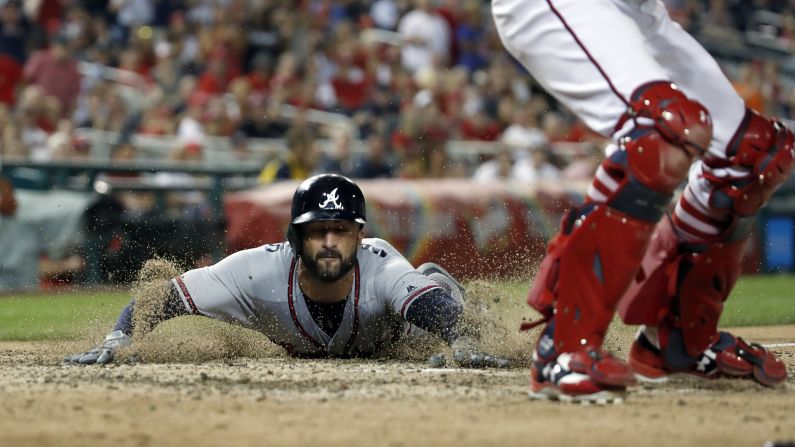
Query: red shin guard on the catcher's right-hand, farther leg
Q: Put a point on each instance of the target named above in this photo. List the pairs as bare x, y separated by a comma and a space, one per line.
684, 286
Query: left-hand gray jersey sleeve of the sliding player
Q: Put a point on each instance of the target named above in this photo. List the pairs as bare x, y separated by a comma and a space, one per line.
221, 291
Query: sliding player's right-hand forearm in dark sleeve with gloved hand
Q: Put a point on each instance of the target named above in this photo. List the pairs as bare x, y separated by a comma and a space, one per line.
439, 313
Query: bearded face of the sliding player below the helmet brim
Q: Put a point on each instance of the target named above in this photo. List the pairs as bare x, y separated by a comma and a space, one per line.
330, 248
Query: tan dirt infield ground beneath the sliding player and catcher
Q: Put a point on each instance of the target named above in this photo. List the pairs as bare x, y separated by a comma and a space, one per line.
269, 399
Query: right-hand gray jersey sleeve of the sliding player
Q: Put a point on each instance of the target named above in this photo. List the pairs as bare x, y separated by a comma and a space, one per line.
397, 280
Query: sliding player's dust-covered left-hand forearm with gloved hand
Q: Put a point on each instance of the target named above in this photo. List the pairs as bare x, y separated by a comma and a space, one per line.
151, 311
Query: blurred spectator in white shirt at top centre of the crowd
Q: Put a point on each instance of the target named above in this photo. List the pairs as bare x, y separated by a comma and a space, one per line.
425, 36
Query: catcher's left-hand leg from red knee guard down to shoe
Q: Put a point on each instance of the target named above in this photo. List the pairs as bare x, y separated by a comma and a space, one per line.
601, 243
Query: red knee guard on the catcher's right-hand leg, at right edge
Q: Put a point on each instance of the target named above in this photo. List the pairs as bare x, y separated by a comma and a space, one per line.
764, 148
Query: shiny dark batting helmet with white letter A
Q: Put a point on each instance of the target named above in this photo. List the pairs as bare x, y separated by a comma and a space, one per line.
325, 197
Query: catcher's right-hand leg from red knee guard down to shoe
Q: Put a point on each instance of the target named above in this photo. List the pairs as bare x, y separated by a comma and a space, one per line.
694, 259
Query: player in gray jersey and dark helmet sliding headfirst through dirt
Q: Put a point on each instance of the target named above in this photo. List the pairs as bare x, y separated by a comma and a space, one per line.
325, 292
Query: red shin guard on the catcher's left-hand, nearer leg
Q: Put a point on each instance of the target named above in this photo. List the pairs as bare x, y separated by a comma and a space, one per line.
586, 271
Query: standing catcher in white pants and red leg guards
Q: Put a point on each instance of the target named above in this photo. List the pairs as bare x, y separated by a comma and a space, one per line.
632, 74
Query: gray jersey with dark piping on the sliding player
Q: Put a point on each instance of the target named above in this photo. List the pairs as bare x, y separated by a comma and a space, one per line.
258, 289
